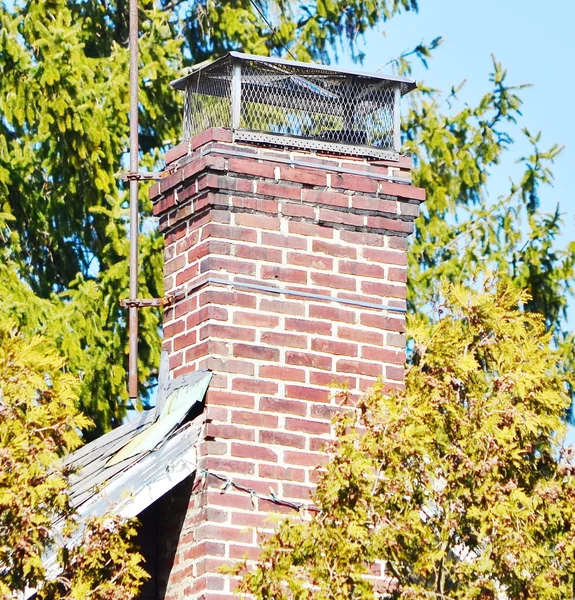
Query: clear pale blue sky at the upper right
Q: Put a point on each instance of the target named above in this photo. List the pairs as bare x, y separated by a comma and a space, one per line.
533, 40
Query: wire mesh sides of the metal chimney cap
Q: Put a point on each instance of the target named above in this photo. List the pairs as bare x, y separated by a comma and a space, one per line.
294, 106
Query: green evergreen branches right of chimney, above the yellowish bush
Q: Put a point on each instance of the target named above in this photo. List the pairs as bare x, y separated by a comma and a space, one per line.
456, 148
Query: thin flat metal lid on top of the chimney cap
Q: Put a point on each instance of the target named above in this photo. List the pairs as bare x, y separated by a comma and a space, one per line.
407, 84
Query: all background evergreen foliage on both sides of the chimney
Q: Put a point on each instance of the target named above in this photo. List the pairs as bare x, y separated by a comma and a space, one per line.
64, 132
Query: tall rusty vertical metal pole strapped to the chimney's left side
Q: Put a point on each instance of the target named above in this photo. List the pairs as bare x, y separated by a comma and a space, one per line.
134, 212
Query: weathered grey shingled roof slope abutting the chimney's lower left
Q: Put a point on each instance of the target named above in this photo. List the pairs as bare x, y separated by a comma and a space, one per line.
127, 469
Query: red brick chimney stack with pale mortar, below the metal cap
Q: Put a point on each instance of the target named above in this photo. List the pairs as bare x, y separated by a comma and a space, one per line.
268, 220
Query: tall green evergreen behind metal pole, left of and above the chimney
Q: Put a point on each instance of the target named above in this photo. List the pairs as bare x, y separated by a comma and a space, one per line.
63, 135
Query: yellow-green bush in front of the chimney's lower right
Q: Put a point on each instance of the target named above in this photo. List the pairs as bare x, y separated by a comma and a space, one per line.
459, 484
